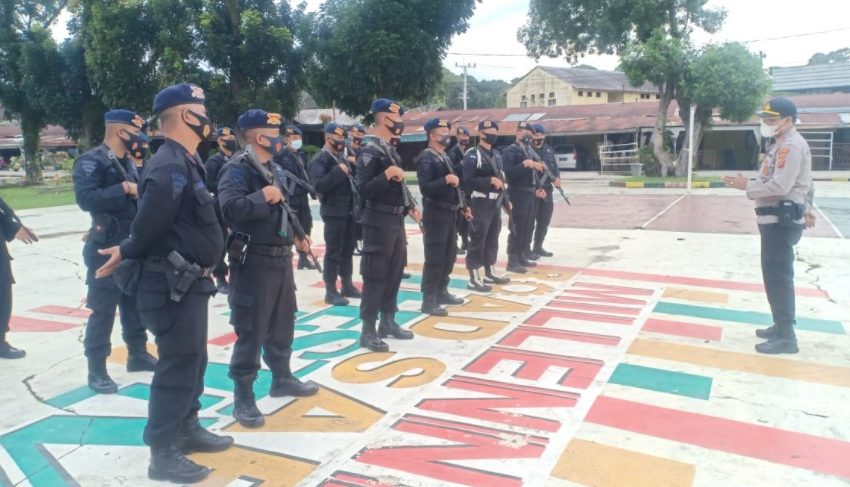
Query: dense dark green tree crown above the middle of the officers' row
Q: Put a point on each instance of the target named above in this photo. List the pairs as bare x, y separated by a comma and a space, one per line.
358, 55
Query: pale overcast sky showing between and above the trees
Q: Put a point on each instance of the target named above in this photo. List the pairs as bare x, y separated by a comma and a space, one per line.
493, 30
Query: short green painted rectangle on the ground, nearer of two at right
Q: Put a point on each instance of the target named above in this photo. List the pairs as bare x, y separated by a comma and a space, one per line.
667, 381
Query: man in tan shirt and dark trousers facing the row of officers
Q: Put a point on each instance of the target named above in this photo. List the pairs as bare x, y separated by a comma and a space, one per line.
783, 194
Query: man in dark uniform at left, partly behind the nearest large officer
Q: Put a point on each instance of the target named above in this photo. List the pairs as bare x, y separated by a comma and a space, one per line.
105, 184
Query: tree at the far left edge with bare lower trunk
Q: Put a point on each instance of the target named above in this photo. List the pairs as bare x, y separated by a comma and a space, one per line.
30, 81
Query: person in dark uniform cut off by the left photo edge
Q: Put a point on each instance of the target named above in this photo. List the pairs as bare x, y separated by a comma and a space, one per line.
10, 228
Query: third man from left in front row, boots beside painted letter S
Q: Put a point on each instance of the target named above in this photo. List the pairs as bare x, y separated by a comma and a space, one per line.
380, 182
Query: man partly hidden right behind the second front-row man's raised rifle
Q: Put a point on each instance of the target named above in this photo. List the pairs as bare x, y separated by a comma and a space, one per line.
291, 160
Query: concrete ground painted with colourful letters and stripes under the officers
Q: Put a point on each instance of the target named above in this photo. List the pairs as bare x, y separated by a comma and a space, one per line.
626, 361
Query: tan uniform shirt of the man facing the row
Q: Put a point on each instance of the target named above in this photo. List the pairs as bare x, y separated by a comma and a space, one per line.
786, 174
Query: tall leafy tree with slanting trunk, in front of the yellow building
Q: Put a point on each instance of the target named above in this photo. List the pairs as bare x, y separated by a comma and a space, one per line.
642, 32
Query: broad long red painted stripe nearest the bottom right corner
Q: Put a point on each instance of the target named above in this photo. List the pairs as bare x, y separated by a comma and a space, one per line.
825, 455
